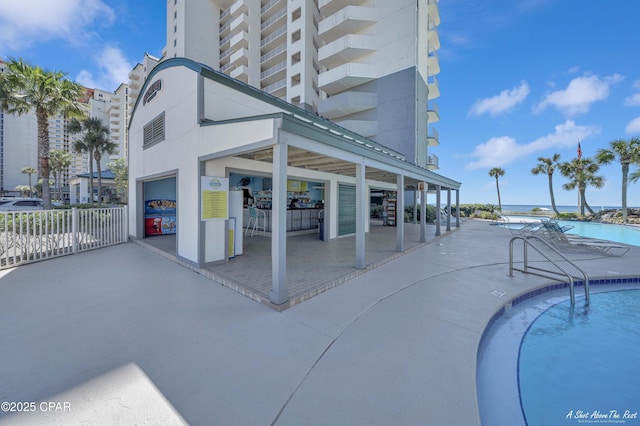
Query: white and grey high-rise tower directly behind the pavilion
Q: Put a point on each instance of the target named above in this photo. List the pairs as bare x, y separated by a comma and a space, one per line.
367, 65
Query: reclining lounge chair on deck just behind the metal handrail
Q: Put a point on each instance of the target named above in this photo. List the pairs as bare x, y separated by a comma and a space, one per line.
555, 235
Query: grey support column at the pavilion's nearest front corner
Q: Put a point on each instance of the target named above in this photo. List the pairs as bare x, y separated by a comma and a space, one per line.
279, 294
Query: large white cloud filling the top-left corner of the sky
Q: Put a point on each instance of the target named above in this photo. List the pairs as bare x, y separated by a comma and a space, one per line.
23, 22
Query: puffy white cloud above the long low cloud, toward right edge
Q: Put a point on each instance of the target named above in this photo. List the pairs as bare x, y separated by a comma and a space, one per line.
580, 94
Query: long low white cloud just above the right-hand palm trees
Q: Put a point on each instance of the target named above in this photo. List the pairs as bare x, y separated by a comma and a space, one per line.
499, 151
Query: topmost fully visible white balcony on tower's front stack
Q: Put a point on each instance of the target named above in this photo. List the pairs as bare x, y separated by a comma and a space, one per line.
350, 20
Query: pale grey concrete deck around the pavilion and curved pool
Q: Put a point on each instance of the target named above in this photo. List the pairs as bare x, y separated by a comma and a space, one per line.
121, 335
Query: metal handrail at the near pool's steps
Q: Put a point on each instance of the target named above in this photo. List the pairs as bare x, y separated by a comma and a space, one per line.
565, 273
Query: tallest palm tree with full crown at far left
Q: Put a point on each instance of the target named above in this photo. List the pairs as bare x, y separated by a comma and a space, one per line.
24, 88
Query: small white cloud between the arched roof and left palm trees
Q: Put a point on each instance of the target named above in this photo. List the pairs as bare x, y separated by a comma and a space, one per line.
114, 70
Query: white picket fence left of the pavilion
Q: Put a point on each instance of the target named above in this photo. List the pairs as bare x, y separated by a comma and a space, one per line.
31, 236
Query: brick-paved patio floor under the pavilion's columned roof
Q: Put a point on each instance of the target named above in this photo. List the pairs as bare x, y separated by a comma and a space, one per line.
313, 265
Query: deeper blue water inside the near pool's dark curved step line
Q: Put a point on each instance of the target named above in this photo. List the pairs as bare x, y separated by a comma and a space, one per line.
583, 364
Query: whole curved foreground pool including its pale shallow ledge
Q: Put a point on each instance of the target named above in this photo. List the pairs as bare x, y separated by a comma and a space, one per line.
552, 364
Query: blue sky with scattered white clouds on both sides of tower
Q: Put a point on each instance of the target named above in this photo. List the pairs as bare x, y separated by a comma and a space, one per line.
520, 79
